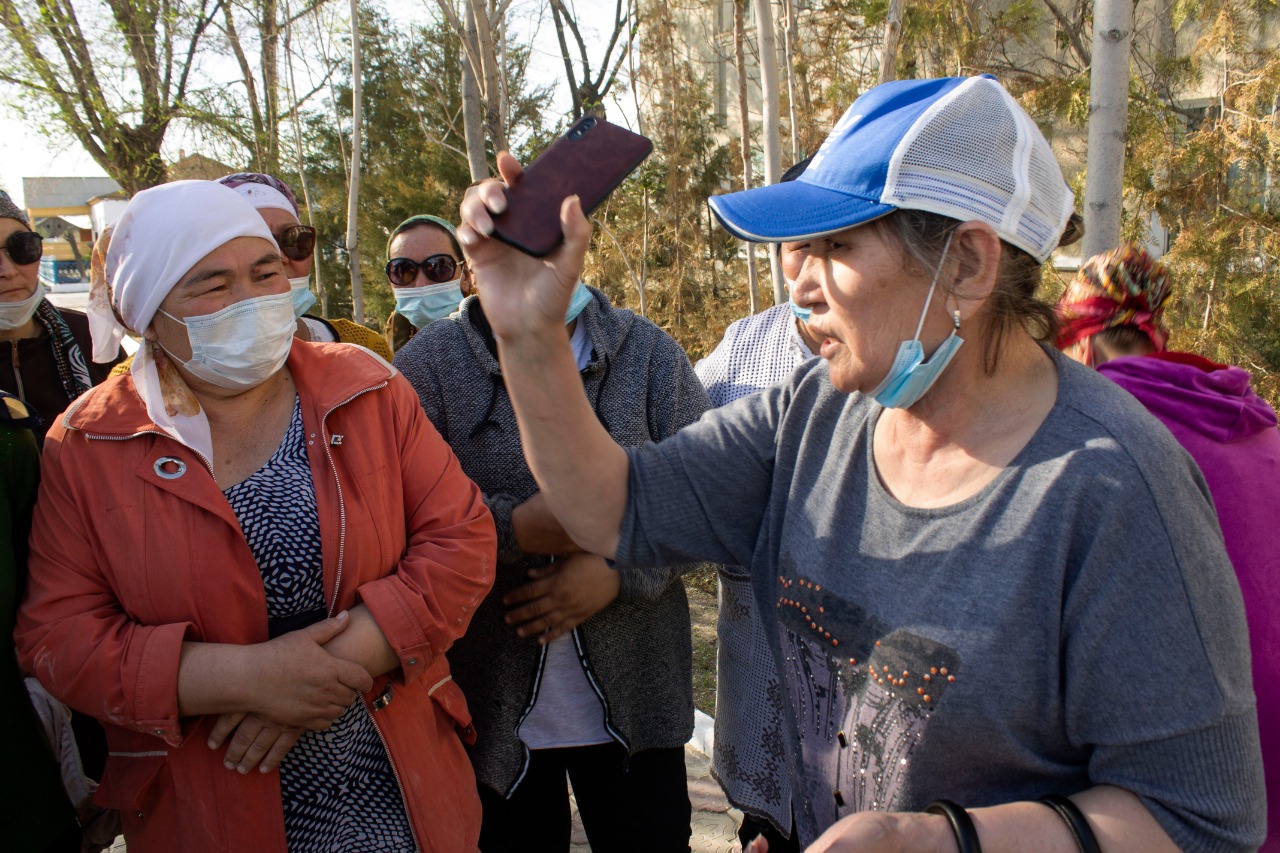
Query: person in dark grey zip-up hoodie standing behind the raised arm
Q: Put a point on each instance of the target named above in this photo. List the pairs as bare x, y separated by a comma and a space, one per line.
569, 665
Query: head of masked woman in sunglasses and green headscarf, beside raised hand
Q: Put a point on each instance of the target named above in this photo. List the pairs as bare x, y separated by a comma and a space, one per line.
427, 273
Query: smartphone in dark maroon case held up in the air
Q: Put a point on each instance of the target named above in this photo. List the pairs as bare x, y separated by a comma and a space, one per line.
589, 162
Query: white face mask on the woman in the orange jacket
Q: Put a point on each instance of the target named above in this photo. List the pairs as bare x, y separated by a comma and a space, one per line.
243, 345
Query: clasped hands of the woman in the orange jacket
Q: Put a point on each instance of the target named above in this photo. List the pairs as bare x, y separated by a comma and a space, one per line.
298, 686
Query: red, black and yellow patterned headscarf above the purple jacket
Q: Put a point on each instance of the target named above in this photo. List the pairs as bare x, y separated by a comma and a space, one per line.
1122, 288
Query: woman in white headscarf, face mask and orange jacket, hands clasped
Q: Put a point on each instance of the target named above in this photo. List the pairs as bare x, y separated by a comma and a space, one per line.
253, 553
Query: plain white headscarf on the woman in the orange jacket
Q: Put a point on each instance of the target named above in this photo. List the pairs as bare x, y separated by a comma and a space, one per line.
161, 236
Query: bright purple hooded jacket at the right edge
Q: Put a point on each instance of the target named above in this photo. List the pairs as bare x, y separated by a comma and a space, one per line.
1232, 435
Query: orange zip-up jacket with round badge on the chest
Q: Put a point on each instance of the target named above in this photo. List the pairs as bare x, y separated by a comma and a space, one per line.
127, 564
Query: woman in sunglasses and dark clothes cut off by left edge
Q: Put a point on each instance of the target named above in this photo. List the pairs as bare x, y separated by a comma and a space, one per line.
42, 348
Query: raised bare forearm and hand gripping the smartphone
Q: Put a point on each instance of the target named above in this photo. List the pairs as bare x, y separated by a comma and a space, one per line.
580, 469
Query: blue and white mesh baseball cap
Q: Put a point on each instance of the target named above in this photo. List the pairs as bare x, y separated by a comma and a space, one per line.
957, 147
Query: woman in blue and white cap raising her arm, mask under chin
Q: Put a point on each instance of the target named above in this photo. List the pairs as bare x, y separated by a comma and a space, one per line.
991, 580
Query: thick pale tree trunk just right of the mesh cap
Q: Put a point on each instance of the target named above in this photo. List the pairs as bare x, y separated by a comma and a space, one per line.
1109, 116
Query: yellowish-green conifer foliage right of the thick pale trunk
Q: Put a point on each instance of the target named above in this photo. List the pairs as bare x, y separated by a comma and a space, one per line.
1209, 175
